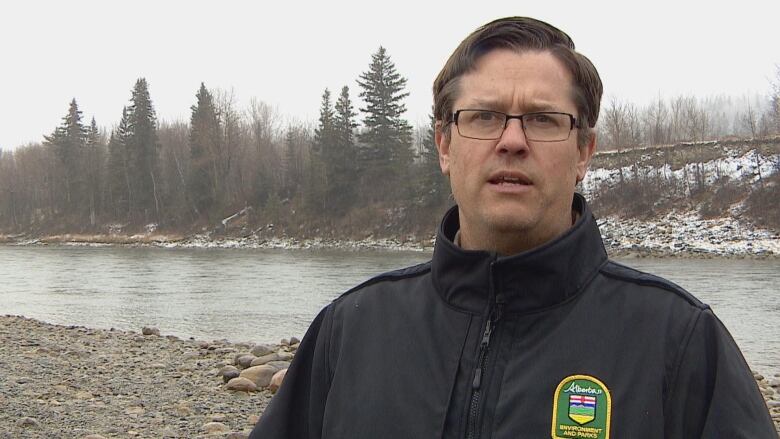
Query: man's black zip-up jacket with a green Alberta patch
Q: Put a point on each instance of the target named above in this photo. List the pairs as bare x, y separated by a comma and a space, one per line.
554, 342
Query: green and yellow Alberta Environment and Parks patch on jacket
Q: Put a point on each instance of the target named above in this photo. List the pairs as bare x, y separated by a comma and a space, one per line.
582, 408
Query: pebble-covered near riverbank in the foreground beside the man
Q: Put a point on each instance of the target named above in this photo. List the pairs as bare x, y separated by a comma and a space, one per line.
69, 381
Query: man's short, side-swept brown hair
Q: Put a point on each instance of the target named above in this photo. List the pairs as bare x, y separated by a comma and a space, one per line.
519, 34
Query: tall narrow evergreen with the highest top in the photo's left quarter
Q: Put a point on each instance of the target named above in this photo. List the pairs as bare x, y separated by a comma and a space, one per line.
143, 154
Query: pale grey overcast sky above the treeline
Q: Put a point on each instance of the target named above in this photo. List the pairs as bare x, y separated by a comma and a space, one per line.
286, 53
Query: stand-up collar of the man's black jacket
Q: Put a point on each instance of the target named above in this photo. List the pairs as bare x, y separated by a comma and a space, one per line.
525, 282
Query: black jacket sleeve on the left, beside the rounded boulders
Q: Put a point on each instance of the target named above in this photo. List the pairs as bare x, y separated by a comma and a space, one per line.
296, 411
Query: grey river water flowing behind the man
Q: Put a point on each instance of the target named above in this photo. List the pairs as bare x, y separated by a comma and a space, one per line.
265, 295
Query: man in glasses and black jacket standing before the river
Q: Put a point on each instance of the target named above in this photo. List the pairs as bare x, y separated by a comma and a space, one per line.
519, 327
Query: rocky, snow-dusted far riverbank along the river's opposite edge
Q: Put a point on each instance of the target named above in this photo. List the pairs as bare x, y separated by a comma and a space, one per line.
675, 234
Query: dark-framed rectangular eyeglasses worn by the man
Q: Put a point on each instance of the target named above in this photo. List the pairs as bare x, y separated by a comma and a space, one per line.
543, 126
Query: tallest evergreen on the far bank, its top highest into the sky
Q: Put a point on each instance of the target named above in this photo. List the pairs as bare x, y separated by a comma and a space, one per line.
387, 140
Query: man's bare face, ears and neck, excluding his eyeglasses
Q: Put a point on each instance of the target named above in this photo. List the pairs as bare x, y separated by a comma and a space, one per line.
510, 186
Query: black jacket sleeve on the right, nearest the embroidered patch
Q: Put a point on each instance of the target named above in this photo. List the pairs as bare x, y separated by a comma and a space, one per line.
714, 394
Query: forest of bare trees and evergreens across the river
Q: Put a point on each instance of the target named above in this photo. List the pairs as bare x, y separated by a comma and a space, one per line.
354, 172
